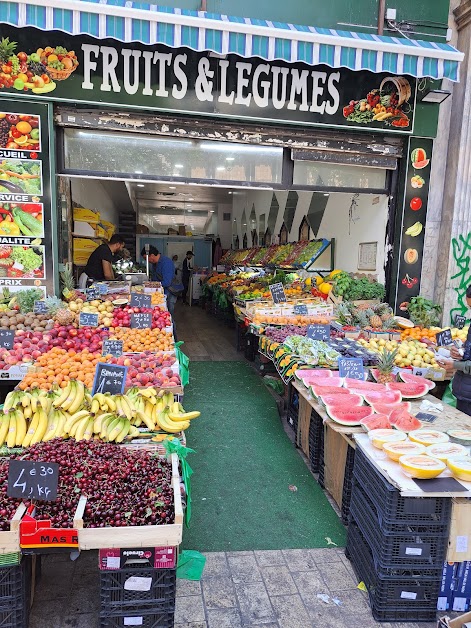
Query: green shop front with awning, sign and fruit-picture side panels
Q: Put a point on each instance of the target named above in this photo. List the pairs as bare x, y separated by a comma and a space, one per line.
129, 89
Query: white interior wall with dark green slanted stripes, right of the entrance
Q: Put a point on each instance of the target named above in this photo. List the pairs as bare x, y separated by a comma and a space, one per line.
368, 225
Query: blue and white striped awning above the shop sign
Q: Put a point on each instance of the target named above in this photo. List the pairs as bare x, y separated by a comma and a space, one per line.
129, 21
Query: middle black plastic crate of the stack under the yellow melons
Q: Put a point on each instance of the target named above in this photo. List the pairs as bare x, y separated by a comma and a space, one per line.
407, 549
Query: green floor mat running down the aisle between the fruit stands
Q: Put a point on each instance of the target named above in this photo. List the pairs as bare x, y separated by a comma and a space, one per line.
244, 466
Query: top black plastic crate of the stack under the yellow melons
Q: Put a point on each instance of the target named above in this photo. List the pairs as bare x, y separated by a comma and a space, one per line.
391, 507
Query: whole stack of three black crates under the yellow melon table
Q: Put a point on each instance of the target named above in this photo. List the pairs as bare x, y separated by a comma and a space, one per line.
397, 545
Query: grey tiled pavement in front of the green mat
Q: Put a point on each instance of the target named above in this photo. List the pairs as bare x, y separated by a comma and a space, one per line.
239, 589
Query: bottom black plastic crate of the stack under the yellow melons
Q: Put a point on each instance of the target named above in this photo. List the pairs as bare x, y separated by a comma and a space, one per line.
397, 596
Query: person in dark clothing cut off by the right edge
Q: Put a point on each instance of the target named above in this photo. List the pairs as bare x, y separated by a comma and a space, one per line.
458, 366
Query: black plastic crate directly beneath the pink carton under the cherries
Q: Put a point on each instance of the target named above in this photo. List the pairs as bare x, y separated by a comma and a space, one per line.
161, 594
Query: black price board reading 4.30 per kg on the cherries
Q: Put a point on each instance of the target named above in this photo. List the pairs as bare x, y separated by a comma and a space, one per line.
33, 480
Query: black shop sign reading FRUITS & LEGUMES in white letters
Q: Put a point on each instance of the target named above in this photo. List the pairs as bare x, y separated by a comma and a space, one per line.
108, 72
